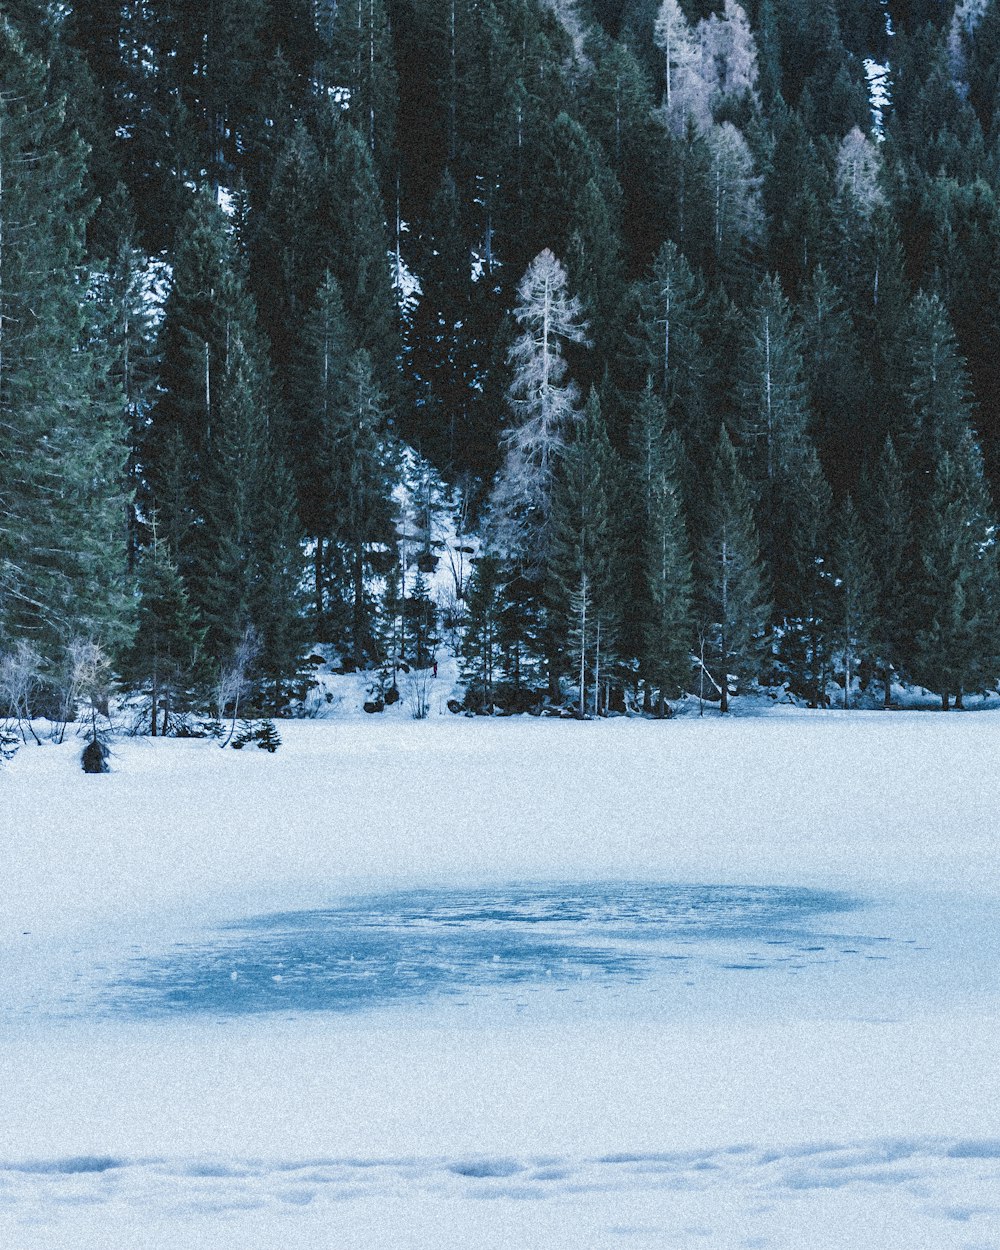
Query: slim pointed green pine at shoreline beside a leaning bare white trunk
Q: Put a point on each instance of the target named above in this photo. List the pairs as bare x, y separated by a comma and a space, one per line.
732, 606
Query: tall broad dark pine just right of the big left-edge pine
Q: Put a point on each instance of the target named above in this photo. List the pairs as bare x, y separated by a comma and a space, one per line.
218, 481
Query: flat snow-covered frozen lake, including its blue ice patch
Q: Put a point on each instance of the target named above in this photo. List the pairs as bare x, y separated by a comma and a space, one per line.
699, 983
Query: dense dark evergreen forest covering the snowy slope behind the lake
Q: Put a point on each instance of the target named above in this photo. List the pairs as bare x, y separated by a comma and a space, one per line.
684, 313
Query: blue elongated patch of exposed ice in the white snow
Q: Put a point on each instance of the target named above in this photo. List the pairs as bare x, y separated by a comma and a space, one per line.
383, 951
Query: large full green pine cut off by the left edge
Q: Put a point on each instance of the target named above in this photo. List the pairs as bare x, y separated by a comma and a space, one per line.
63, 504
